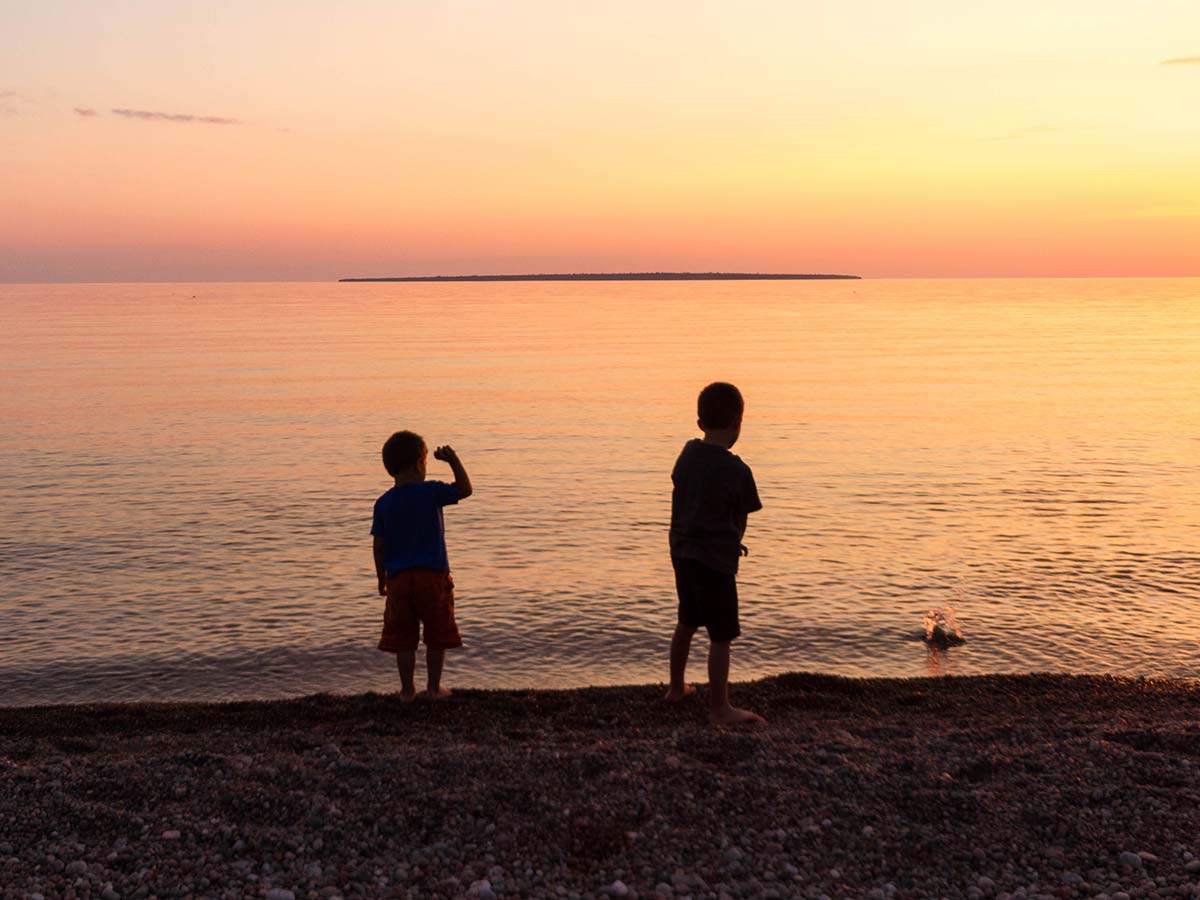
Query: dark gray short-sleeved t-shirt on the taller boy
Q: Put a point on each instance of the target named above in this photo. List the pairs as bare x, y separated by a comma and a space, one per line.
715, 493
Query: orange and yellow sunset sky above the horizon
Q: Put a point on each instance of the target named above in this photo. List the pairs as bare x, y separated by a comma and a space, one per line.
293, 140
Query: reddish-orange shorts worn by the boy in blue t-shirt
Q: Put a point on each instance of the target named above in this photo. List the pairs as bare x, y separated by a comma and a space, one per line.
417, 598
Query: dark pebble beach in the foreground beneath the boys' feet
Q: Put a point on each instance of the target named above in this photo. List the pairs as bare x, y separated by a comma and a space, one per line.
1018, 787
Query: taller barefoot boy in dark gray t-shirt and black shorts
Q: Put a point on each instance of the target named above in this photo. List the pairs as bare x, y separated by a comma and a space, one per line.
715, 493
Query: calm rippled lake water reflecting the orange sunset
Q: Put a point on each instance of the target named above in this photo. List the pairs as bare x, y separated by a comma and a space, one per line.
188, 475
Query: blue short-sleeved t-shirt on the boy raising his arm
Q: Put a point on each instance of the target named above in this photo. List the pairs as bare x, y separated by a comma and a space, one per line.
409, 519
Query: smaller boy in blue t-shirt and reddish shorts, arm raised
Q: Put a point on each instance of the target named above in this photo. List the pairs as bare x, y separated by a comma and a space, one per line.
411, 560
